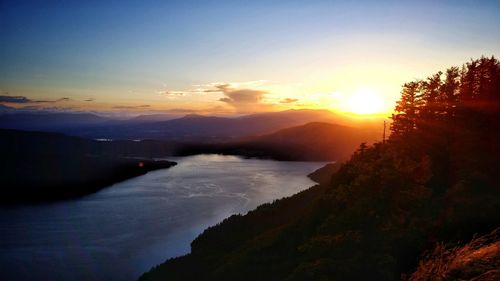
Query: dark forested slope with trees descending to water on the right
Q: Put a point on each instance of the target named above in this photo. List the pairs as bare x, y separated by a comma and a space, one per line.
435, 180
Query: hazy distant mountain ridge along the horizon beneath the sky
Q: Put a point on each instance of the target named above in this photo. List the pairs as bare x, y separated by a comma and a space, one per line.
191, 127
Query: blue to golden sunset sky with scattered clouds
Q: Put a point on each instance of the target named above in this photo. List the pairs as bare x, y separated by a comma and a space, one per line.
232, 57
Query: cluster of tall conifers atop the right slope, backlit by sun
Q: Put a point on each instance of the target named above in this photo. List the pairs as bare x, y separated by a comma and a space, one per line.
467, 97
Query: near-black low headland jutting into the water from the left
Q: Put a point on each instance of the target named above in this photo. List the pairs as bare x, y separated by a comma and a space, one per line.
38, 167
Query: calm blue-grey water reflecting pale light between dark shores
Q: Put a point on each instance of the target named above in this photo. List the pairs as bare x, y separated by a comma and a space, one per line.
124, 230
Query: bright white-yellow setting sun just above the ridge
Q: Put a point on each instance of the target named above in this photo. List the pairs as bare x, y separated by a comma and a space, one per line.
365, 101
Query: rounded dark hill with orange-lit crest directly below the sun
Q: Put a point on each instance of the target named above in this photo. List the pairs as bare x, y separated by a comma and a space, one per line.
310, 142
